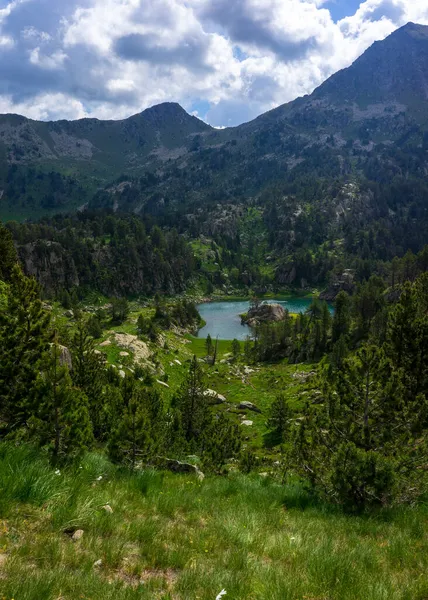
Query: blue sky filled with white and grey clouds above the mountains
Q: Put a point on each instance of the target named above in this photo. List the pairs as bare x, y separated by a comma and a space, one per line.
224, 61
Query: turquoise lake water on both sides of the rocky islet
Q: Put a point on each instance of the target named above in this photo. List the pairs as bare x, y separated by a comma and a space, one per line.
223, 320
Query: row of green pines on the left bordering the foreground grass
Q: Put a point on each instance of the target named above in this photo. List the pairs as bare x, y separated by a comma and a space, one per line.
57, 391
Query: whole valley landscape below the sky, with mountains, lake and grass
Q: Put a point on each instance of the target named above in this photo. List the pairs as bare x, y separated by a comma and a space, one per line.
213, 366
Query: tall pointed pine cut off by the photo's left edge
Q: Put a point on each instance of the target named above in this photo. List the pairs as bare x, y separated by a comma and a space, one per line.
24, 340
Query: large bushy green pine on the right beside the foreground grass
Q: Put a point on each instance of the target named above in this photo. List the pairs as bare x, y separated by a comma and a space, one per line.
362, 432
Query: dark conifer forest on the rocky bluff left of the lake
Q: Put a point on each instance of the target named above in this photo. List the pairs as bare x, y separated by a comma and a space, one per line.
119, 255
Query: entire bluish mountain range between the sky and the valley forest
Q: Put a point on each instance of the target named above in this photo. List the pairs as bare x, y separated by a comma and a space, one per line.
366, 123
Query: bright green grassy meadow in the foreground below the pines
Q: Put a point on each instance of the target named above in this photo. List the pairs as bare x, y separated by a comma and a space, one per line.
174, 537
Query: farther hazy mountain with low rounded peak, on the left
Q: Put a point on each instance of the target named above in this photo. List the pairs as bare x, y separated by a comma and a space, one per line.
52, 165
